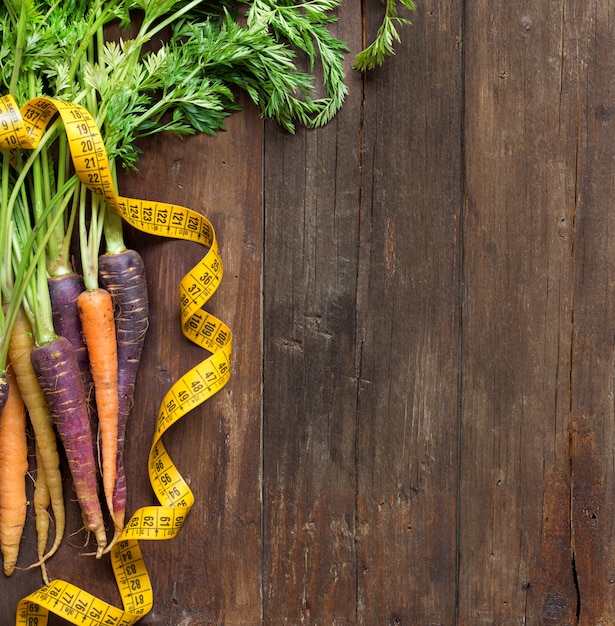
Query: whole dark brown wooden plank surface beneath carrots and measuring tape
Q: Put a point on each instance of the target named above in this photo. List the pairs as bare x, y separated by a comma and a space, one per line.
419, 427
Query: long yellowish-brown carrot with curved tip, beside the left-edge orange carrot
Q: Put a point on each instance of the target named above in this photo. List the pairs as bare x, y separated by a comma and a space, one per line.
20, 348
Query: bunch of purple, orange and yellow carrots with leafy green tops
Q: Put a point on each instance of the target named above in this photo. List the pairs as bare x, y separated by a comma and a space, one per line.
74, 299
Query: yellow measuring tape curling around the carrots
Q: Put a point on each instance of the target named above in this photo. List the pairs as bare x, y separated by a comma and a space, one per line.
23, 128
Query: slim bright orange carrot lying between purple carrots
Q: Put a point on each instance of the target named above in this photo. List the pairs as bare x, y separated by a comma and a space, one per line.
98, 324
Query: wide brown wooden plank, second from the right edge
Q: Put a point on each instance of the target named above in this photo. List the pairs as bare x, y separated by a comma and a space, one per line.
520, 142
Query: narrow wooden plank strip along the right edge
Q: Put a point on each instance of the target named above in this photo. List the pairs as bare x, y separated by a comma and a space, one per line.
593, 374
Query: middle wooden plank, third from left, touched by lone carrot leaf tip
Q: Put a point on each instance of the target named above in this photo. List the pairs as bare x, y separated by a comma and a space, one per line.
408, 330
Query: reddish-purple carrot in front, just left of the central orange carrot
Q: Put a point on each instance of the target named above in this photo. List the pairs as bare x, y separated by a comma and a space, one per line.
57, 370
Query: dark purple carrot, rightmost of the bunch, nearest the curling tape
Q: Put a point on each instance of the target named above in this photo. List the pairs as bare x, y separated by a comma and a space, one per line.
123, 276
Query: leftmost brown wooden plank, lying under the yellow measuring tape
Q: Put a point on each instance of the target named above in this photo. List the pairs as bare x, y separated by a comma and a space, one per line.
200, 576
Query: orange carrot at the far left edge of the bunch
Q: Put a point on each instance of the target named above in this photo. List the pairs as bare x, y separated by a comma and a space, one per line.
13, 469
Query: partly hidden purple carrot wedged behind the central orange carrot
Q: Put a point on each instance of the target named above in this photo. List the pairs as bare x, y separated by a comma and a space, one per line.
64, 291
